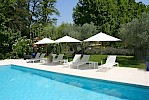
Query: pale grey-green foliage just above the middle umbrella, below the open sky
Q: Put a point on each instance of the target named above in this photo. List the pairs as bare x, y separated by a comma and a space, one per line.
77, 31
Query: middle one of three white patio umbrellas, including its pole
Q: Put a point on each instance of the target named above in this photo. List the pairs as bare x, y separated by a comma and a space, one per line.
66, 39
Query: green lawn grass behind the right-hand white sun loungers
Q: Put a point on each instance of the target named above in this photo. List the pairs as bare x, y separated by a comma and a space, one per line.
124, 61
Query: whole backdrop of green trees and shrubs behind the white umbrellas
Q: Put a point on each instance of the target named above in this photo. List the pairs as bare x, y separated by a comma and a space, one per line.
23, 21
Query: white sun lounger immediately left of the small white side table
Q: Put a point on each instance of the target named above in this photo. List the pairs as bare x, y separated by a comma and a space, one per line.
84, 60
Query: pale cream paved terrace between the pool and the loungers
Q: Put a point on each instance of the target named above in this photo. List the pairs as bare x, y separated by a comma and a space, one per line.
119, 74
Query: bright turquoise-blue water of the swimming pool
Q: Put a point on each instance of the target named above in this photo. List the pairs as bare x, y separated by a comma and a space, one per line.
21, 83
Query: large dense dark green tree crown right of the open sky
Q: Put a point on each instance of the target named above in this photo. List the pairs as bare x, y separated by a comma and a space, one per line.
108, 15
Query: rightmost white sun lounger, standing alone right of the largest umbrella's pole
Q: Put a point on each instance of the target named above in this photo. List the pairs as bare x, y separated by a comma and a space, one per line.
110, 62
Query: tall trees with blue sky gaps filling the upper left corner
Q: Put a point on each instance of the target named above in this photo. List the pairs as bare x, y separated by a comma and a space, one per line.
23, 18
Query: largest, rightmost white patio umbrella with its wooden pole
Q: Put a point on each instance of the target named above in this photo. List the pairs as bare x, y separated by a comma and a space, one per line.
102, 37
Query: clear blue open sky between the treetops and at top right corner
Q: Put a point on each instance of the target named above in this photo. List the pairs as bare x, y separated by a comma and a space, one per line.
65, 7
